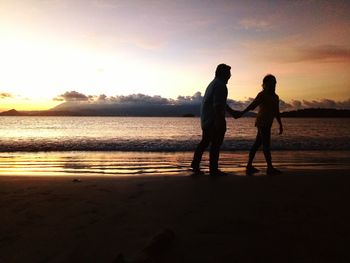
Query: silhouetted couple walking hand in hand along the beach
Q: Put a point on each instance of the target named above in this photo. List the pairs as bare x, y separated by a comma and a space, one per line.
213, 123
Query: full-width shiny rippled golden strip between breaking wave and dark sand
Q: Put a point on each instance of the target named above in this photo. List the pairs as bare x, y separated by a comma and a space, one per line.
142, 163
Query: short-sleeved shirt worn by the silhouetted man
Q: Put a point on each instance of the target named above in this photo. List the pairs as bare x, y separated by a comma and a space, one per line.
215, 96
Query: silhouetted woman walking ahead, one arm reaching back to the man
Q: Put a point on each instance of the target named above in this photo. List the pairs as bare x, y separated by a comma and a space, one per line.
268, 102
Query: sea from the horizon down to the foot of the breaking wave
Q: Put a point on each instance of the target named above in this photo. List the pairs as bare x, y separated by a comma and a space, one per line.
159, 134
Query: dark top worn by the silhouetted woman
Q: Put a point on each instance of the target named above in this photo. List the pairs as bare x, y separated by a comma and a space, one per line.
268, 109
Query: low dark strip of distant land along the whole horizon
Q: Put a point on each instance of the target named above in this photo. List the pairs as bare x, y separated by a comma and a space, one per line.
172, 111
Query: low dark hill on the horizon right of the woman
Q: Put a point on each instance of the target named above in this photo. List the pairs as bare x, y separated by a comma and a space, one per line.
317, 113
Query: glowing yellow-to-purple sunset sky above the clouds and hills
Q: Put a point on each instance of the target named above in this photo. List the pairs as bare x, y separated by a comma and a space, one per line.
170, 48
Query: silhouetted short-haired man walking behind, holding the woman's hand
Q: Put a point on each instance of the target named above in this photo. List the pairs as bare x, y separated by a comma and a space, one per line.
213, 121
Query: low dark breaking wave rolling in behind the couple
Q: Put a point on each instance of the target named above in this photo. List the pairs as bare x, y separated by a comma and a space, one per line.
45, 145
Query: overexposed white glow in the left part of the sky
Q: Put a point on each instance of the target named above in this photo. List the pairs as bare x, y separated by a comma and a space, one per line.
38, 69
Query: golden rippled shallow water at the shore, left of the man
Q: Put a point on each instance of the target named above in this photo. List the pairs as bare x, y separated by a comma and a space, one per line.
92, 164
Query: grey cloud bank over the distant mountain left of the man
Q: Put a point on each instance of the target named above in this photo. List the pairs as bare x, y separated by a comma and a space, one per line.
131, 105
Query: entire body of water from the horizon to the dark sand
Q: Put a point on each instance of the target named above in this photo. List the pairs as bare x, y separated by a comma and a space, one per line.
118, 146
